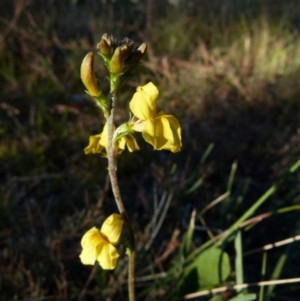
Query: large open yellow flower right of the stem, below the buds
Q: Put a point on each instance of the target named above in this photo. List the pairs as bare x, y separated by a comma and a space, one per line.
160, 130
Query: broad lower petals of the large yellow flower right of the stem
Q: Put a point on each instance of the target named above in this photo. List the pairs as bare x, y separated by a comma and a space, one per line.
163, 132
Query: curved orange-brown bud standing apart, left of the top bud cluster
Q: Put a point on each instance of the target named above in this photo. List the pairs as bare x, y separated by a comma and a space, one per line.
87, 74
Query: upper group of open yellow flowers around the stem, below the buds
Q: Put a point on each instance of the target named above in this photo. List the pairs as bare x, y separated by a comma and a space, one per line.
160, 130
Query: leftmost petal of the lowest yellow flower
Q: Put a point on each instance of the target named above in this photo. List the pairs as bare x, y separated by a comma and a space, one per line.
90, 243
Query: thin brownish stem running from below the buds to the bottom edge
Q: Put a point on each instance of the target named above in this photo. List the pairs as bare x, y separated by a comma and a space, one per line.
118, 199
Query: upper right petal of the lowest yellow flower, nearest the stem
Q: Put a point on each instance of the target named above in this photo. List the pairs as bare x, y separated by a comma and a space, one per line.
112, 228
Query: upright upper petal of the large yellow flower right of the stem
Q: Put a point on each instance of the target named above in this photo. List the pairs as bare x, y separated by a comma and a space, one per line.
143, 103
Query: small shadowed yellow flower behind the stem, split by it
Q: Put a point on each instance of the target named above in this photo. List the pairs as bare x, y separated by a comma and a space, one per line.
99, 143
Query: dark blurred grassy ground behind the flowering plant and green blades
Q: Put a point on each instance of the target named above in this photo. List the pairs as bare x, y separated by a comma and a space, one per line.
228, 70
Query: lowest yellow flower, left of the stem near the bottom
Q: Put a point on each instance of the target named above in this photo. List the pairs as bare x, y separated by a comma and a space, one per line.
100, 245
